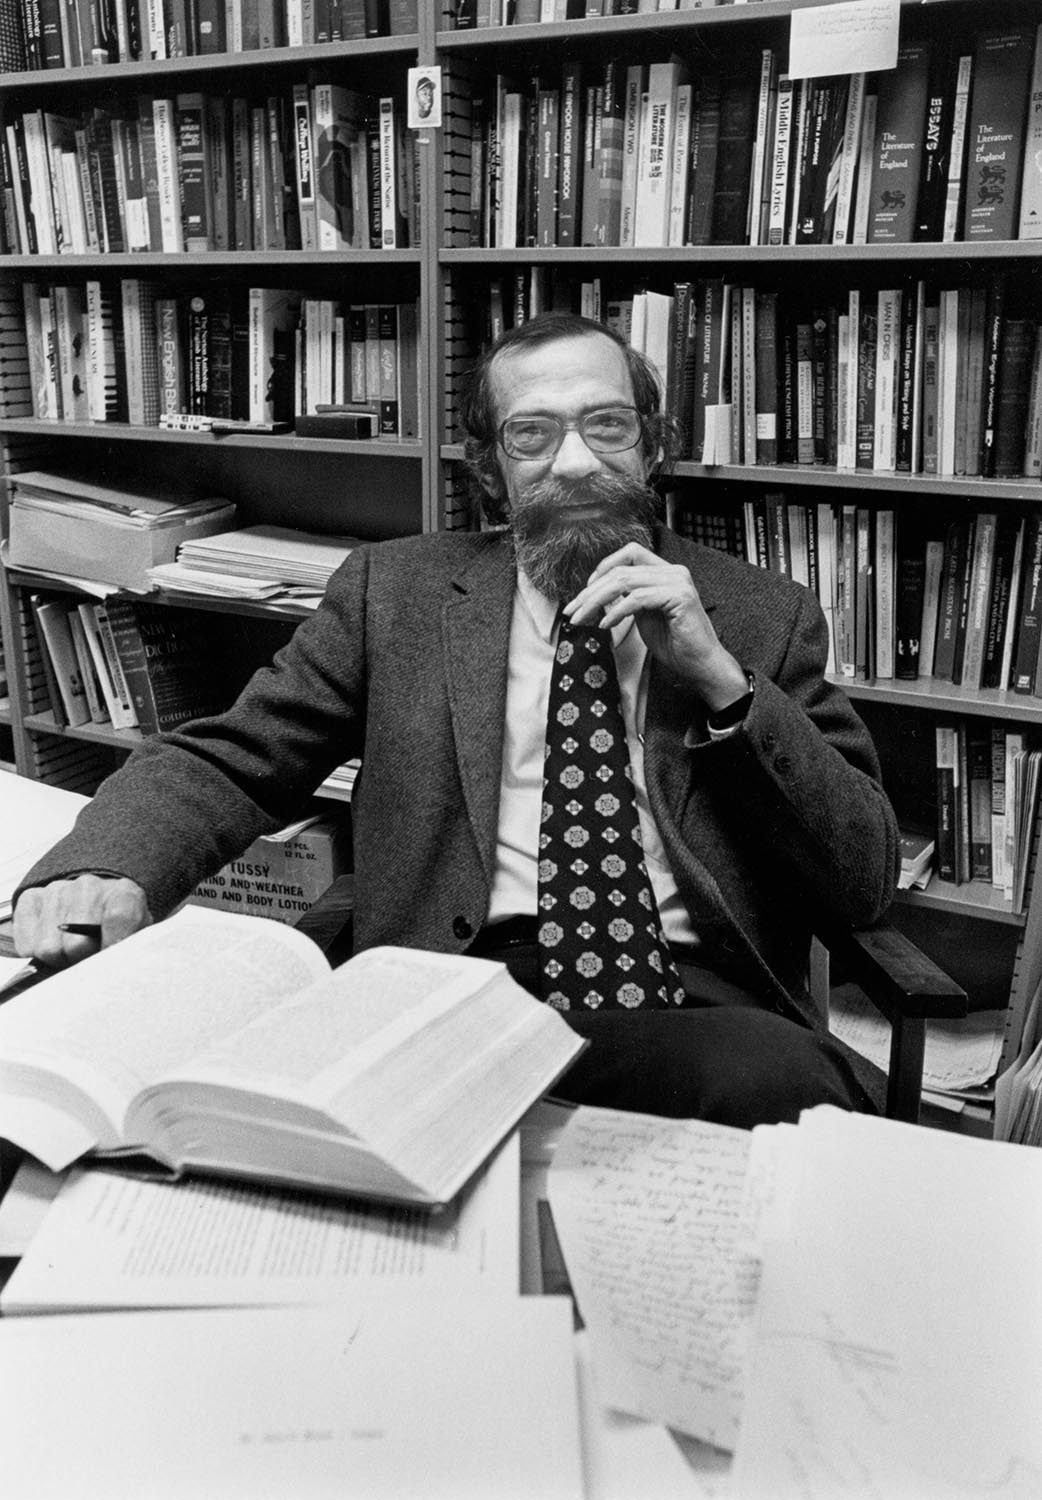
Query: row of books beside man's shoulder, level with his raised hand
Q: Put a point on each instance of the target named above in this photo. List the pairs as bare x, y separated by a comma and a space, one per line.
963, 607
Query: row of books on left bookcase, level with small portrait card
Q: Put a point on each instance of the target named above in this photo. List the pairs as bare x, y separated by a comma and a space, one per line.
317, 167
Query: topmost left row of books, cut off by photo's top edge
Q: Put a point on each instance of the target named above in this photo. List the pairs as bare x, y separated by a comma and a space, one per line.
79, 34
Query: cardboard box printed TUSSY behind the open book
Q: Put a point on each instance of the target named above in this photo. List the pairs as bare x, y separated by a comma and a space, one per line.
281, 878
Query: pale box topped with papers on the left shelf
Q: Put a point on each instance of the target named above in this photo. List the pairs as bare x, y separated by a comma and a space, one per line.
91, 532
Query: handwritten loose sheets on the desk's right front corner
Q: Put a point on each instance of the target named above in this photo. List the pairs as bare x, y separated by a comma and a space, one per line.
851, 1306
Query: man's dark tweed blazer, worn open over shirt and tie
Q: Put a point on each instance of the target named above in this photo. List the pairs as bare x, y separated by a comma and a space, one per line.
768, 832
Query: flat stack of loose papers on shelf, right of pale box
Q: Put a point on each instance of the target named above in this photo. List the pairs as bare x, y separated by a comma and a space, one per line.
256, 563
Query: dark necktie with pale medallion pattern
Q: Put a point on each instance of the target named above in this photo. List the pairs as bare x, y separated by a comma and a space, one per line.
600, 940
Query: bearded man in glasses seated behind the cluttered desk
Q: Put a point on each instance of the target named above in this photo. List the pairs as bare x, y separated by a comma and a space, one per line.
752, 790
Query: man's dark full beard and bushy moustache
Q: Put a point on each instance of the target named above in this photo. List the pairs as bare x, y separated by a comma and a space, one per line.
557, 550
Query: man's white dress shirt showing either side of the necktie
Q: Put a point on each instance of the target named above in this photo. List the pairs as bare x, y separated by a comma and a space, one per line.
515, 884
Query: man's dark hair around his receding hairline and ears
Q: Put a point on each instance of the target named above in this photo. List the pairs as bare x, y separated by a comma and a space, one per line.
479, 413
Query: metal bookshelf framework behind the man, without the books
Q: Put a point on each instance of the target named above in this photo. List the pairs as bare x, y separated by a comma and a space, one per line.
386, 488
